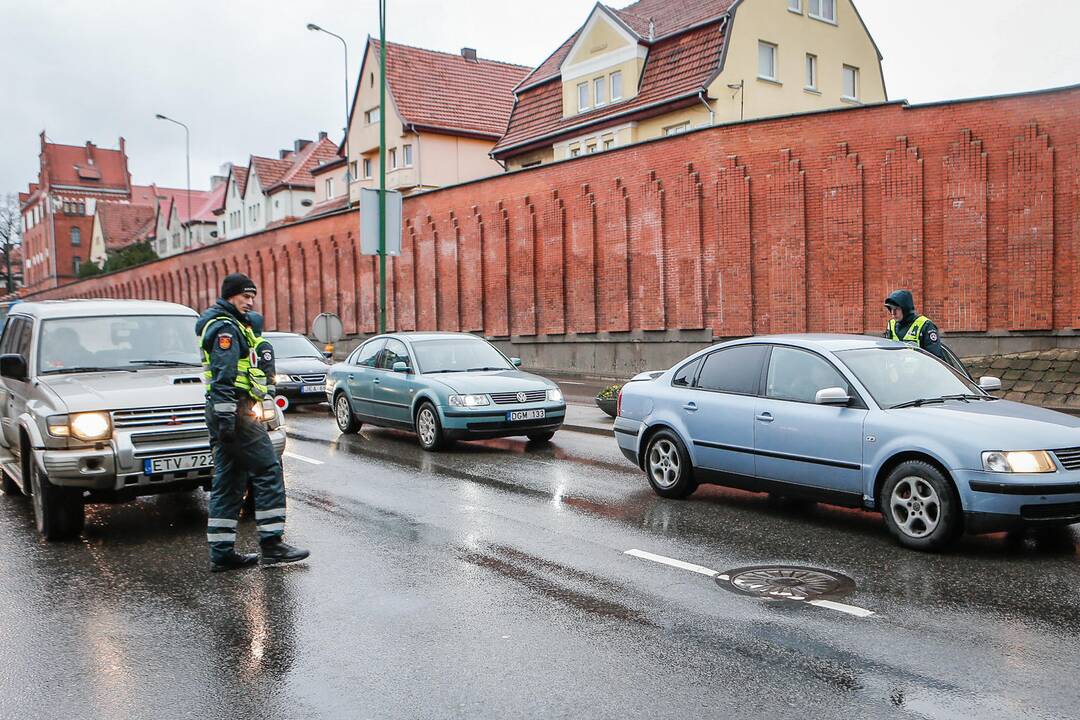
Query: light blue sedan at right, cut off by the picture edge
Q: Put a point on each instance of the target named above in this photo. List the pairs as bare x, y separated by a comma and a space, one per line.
855, 422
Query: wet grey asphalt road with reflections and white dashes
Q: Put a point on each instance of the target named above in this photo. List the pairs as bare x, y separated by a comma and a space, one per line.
492, 582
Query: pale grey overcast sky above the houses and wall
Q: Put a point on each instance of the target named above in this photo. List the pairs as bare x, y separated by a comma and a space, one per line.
249, 78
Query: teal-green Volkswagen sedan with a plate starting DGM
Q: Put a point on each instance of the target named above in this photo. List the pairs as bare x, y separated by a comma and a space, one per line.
443, 387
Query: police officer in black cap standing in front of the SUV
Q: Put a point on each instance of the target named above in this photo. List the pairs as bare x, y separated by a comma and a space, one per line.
242, 449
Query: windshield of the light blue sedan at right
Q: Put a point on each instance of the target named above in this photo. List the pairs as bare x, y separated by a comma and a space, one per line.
906, 375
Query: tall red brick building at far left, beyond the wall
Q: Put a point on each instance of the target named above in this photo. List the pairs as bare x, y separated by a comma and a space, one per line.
59, 210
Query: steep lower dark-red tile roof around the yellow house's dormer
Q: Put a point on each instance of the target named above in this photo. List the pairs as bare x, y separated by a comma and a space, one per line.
678, 67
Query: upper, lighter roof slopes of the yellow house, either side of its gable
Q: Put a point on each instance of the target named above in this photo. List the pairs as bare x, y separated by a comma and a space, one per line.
669, 18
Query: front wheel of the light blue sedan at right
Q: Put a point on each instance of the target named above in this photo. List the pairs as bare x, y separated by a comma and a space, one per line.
921, 507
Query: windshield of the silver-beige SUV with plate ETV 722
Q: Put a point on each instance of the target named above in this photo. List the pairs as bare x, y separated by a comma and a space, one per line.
120, 343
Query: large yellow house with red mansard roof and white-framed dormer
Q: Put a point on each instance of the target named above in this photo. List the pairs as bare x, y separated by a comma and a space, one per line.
663, 67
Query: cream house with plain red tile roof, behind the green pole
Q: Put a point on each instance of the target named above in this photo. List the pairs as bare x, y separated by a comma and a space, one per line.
445, 113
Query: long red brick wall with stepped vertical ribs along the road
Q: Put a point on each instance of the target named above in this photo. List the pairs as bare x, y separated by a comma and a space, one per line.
790, 225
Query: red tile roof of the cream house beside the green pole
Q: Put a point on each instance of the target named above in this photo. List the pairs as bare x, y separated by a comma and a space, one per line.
472, 98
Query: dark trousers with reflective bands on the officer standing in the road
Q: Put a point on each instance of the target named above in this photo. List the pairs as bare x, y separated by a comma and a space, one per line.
251, 457
